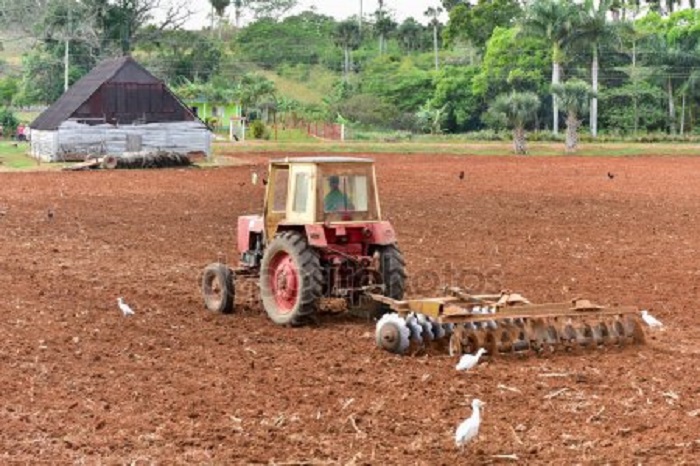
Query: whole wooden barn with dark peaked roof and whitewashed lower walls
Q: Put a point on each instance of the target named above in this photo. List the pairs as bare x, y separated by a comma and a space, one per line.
118, 107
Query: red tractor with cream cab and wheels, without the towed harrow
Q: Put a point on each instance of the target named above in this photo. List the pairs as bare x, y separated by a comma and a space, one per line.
321, 235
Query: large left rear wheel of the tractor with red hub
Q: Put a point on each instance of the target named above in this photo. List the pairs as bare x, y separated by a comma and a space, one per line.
290, 279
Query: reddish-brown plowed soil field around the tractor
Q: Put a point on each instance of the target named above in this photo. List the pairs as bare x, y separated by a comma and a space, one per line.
174, 384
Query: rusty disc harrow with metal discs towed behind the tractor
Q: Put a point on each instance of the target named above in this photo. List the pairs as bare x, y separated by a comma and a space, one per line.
502, 324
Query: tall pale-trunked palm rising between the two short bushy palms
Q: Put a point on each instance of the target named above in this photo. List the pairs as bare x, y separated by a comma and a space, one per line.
553, 21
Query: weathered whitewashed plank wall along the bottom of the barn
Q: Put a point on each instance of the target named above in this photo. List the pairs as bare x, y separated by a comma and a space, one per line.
78, 138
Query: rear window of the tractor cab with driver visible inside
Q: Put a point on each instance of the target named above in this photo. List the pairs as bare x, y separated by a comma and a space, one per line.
347, 194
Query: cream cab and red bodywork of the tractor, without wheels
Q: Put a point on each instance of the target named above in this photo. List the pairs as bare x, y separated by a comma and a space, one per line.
330, 201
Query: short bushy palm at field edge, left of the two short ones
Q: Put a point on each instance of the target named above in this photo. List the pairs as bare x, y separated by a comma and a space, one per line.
516, 110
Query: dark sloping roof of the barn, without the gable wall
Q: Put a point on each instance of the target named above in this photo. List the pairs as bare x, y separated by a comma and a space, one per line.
112, 70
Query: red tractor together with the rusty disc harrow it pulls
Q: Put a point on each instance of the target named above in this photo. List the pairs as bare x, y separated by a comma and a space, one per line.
321, 237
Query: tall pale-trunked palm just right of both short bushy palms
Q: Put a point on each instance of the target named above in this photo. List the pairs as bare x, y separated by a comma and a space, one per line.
594, 30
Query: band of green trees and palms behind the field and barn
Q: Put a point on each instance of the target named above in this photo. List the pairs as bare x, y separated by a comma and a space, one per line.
607, 67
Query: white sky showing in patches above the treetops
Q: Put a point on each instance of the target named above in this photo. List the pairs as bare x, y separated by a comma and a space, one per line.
340, 9
